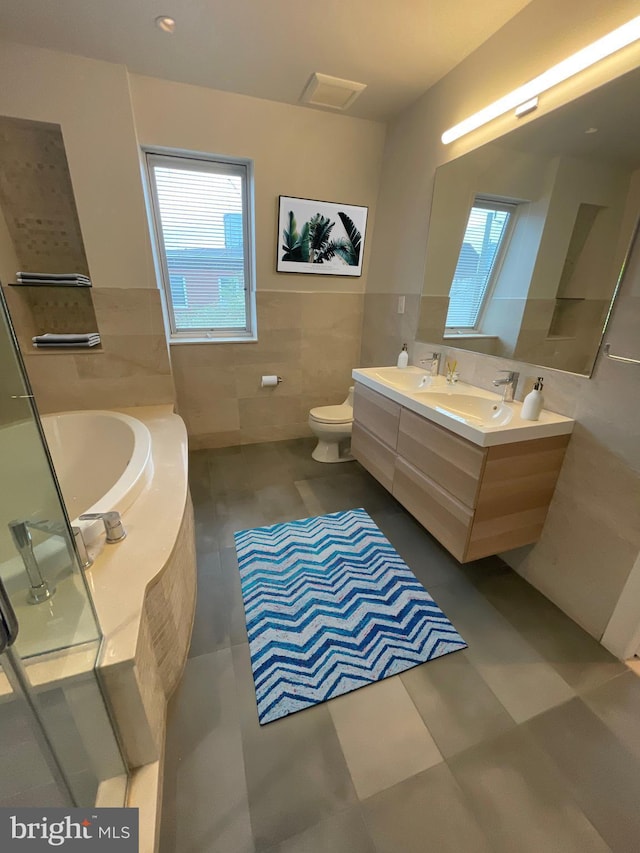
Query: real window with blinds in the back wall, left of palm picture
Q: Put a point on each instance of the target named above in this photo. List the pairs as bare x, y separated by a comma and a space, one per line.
203, 221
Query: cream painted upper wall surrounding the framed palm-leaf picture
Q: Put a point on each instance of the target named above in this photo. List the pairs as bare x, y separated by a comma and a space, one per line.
296, 151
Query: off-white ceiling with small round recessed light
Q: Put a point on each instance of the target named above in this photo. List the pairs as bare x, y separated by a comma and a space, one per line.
270, 48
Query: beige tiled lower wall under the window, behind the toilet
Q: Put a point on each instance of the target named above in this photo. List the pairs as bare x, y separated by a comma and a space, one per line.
311, 340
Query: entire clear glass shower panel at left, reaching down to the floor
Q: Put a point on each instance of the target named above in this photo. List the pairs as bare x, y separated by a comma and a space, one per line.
59, 637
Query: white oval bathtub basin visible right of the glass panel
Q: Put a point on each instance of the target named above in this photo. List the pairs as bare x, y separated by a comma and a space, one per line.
103, 462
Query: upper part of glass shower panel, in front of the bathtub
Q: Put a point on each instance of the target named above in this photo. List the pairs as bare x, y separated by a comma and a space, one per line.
37, 559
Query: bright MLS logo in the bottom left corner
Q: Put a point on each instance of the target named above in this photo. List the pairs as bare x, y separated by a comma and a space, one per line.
37, 829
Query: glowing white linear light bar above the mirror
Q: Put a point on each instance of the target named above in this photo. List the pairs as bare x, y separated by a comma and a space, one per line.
615, 40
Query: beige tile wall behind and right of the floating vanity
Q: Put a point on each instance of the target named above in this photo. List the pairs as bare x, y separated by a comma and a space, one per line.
591, 538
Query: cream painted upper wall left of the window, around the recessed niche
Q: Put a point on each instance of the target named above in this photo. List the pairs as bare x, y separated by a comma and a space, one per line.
90, 100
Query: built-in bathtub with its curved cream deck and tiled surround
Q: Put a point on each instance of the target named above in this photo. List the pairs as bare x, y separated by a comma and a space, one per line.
143, 589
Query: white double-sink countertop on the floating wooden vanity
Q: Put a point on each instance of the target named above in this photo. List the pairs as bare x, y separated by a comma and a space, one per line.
429, 402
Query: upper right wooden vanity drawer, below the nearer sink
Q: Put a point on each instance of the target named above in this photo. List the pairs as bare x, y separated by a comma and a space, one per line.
453, 462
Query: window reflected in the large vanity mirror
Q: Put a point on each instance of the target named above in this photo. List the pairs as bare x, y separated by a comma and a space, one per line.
484, 240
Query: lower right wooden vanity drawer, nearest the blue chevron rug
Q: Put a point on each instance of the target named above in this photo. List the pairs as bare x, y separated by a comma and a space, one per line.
446, 518
